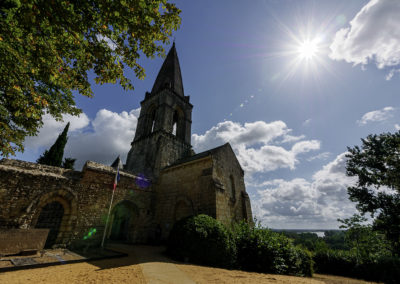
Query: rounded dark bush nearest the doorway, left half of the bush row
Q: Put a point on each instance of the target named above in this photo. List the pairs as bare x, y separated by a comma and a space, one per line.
203, 240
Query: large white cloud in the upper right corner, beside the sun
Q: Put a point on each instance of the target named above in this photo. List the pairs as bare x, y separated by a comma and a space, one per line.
373, 36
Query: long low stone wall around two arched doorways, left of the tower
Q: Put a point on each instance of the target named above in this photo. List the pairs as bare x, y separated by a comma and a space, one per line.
26, 188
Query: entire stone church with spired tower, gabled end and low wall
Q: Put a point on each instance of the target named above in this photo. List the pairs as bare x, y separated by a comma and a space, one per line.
162, 181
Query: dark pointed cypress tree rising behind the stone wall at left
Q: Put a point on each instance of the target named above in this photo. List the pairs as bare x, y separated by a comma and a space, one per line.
53, 156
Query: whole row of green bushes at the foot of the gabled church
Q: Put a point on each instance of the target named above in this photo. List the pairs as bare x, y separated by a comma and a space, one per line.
204, 240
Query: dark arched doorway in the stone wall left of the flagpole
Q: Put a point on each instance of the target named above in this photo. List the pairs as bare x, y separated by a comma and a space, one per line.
50, 217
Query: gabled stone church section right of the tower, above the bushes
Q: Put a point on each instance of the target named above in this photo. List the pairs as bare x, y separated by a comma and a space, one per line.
212, 184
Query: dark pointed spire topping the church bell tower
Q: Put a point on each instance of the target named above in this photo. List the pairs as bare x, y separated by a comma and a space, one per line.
169, 76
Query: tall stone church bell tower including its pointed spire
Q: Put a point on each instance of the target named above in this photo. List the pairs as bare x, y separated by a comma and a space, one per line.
163, 131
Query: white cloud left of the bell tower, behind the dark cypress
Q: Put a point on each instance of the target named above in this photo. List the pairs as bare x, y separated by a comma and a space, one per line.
104, 138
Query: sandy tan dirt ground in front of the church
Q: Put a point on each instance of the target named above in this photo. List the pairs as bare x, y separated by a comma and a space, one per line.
129, 270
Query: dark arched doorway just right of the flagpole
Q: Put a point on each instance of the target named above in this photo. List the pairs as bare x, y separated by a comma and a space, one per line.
122, 218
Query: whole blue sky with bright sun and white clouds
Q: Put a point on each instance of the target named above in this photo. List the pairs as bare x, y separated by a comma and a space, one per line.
288, 83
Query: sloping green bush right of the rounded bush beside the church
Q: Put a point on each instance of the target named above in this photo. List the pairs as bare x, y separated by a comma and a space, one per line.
261, 250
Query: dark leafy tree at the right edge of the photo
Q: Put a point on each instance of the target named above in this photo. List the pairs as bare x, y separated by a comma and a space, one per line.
377, 191
